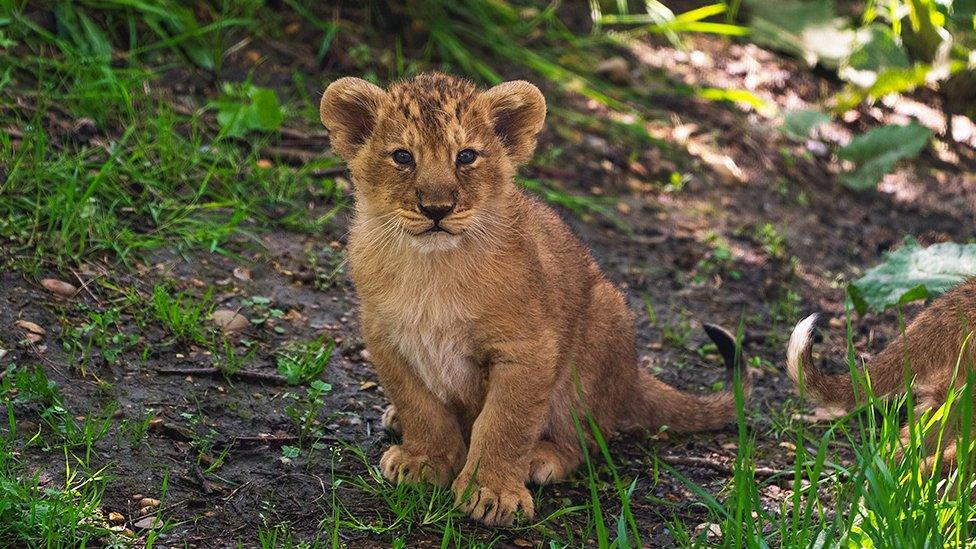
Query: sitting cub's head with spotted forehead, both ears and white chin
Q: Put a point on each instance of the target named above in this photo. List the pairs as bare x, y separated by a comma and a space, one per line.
433, 157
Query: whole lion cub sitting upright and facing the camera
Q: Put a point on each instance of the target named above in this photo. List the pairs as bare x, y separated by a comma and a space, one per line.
482, 311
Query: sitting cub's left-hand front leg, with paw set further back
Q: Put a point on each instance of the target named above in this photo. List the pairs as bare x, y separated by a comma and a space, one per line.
432, 448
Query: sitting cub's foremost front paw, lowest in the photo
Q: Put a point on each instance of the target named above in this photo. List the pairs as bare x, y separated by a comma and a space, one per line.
491, 504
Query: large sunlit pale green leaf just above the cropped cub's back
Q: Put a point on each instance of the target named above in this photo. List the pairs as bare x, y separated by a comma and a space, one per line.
912, 273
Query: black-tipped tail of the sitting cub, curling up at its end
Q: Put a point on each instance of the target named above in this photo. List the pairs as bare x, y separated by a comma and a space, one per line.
659, 404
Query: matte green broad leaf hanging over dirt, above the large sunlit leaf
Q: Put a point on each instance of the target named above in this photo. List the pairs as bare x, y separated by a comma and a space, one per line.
877, 151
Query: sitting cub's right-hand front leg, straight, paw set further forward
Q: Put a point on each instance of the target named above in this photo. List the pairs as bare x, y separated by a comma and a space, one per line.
491, 486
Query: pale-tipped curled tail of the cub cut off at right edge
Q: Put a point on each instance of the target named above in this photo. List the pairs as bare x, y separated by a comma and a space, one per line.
837, 390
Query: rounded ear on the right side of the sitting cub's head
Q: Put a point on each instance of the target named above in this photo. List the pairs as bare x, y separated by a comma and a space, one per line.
517, 111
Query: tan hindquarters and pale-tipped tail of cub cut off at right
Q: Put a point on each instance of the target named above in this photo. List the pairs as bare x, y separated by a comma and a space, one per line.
925, 357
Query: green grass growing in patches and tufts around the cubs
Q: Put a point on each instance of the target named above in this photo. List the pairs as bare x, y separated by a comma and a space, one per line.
107, 163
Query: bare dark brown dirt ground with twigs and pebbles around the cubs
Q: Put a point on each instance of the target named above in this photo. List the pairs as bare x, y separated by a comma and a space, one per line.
822, 236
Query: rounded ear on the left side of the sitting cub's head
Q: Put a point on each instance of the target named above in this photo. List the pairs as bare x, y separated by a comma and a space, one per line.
349, 109
